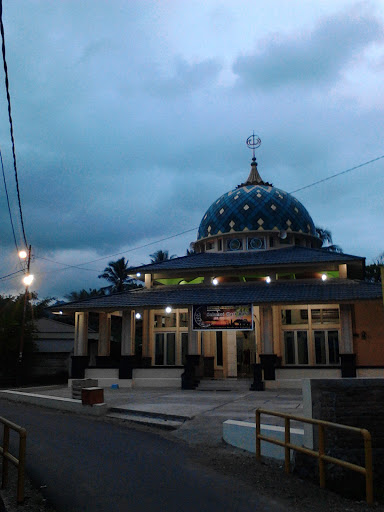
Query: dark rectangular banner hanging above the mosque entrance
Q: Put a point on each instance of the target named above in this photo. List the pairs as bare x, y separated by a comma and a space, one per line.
222, 318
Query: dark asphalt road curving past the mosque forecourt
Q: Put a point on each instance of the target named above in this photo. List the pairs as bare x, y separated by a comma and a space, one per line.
89, 465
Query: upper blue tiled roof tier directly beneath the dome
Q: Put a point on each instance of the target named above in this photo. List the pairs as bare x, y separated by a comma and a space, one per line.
288, 256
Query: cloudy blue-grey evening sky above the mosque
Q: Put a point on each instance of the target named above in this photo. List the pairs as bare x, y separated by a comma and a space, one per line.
130, 119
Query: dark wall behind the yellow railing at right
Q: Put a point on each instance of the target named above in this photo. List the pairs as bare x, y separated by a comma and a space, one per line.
355, 402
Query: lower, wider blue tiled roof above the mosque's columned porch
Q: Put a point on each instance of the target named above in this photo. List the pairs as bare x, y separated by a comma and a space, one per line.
278, 292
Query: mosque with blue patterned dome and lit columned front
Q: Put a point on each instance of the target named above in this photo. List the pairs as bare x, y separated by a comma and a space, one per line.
258, 298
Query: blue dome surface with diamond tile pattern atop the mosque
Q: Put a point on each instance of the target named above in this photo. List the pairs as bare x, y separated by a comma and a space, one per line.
256, 207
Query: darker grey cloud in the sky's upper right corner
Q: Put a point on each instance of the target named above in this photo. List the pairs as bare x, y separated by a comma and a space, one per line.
313, 58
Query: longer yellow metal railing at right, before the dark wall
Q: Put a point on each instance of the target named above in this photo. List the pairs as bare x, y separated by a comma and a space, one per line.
320, 454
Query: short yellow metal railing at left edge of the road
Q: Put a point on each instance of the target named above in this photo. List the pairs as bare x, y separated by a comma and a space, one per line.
8, 457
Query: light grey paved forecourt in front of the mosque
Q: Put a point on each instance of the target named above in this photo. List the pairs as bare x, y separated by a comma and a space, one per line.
204, 411
